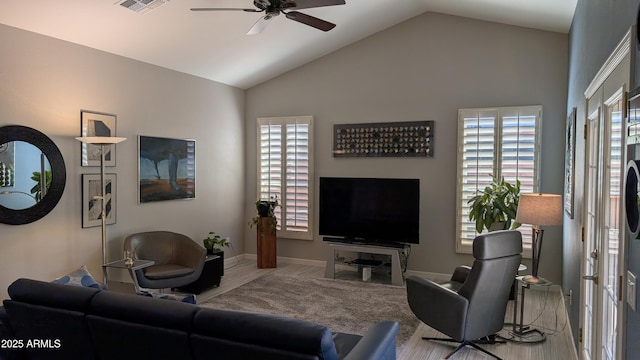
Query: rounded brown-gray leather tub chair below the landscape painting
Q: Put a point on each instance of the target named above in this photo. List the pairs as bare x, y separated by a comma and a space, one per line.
178, 259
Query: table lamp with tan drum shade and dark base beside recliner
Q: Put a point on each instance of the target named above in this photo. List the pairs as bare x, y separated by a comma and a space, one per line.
538, 210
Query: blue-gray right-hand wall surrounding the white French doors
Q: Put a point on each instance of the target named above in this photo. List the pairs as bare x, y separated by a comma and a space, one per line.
598, 26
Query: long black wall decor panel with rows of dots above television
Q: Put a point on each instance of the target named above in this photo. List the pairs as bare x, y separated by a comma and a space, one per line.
393, 139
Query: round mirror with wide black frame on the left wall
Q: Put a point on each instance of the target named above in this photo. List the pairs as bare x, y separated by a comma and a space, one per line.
32, 175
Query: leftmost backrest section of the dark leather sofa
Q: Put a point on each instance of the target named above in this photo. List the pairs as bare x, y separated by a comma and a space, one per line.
41, 311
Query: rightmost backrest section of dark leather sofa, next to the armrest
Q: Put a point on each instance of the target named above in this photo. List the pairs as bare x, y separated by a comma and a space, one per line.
243, 335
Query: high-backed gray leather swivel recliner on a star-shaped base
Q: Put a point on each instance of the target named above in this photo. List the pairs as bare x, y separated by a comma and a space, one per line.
472, 305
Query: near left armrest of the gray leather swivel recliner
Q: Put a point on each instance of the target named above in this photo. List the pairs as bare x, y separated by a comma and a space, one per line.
440, 308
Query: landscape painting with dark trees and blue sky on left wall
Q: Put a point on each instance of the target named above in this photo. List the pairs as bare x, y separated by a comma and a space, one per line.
166, 169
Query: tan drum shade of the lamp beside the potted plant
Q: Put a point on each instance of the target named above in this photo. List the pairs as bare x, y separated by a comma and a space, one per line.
540, 209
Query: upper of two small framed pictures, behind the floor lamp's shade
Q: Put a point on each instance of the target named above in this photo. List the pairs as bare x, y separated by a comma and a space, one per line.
97, 124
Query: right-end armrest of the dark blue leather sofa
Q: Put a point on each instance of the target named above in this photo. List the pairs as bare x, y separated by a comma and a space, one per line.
379, 343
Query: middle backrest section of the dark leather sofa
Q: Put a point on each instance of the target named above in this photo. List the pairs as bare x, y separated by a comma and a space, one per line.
150, 328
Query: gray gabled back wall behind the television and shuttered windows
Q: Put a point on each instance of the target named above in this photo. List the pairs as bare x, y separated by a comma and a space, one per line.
423, 69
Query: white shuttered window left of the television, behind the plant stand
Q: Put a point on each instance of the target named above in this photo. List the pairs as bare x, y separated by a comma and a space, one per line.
285, 170
